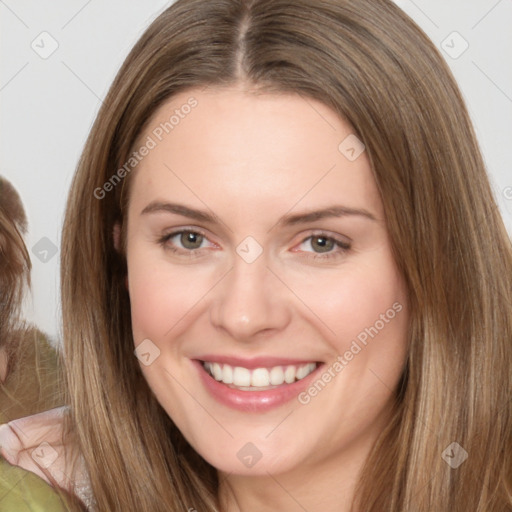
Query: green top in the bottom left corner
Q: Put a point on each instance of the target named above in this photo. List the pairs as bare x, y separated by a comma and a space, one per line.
23, 491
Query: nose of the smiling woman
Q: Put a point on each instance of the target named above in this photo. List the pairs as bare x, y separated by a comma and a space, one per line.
250, 301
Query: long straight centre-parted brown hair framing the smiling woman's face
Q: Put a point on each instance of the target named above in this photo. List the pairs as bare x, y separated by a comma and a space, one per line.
374, 67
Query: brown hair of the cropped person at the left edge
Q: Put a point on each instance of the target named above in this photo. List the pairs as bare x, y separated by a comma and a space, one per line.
29, 369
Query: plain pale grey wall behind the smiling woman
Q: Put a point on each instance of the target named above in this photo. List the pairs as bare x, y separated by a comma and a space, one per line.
49, 101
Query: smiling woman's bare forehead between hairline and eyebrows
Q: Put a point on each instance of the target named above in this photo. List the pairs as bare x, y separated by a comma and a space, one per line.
238, 150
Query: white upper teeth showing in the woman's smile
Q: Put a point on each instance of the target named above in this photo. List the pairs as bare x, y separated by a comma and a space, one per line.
257, 379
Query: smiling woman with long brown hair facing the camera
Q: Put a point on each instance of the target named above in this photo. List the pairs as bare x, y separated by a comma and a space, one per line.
287, 217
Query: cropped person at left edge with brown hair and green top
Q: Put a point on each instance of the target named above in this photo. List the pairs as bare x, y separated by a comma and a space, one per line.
29, 369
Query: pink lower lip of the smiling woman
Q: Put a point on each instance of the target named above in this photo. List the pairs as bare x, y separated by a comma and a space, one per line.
253, 401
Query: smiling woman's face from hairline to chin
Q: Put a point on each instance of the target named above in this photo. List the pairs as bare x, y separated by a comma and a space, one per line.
257, 251
